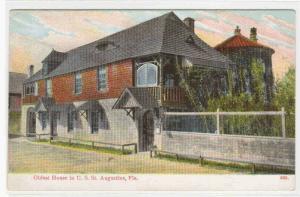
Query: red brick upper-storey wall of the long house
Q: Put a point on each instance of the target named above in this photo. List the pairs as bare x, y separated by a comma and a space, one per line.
119, 76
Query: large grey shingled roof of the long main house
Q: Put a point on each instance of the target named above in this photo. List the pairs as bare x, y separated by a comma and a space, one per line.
163, 34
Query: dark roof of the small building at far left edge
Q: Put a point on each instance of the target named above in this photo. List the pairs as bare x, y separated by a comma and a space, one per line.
16, 82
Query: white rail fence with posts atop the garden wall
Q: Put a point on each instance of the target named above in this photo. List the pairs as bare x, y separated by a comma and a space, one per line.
219, 113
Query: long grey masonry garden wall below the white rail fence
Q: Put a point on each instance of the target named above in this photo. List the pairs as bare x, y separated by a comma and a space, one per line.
255, 149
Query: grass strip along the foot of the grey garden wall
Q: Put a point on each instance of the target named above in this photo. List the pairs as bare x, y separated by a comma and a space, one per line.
239, 167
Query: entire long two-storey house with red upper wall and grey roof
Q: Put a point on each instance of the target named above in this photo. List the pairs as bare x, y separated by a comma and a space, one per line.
116, 88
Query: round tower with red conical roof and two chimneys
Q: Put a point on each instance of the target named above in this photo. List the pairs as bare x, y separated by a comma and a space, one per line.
242, 51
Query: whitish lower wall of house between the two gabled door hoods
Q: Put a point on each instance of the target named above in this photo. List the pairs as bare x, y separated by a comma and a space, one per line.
122, 128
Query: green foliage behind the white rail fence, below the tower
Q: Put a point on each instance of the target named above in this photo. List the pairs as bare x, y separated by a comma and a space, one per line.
264, 125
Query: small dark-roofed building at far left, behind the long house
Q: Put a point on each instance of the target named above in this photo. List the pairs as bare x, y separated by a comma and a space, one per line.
16, 81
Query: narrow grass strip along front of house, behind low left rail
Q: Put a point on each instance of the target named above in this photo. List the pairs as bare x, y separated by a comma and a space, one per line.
86, 147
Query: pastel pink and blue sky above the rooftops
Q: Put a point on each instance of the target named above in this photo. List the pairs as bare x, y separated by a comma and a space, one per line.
34, 33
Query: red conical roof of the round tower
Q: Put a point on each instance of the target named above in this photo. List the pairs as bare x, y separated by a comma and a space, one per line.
239, 41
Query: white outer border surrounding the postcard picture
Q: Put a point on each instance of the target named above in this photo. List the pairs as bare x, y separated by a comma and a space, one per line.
128, 4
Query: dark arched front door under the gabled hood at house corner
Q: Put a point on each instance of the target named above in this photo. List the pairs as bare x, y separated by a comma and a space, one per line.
147, 131
